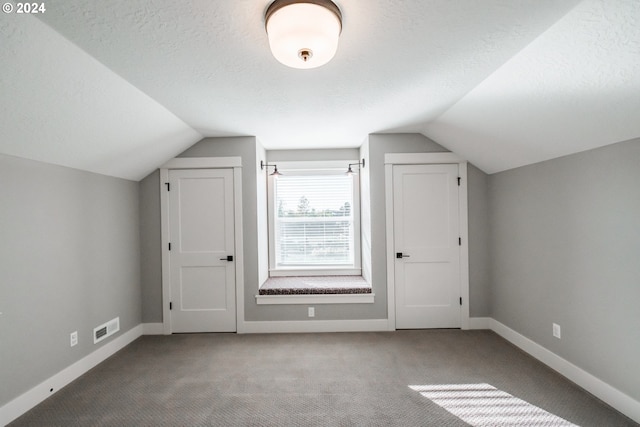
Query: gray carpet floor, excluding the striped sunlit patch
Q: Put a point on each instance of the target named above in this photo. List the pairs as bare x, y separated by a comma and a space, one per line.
336, 379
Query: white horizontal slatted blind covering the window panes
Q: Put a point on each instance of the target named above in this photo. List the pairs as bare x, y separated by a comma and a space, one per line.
314, 220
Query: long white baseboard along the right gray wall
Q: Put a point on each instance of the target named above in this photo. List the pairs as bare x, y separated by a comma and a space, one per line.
612, 396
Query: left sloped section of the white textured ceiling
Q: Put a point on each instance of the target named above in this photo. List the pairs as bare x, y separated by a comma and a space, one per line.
59, 105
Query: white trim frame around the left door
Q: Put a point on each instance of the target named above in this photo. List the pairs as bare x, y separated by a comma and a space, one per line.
234, 163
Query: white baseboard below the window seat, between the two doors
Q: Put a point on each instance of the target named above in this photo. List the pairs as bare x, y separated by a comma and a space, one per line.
302, 326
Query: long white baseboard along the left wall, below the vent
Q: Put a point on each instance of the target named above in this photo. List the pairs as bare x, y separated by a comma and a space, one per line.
48, 387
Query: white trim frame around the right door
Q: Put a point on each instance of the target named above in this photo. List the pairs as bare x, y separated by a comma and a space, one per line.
427, 159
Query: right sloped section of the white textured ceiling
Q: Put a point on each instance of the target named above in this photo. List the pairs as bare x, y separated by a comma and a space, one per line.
575, 87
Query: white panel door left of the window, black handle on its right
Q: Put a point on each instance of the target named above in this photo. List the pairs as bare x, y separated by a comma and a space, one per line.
202, 263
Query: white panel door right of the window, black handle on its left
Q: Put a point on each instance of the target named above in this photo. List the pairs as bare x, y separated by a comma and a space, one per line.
426, 246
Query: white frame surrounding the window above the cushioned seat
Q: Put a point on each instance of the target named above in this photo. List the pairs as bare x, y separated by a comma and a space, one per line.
315, 168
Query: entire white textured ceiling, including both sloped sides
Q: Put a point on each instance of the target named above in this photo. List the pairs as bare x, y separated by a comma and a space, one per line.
118, 87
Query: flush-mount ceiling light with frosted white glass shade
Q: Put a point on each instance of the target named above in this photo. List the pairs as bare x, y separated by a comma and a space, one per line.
303, 33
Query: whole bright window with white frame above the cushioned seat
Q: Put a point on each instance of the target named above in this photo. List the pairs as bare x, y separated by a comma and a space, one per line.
314, 221
